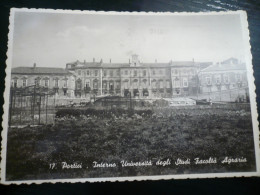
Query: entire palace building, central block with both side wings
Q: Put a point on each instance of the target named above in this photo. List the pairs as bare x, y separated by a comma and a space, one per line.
136, 79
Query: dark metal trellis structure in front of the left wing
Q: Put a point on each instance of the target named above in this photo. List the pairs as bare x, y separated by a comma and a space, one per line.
31, 105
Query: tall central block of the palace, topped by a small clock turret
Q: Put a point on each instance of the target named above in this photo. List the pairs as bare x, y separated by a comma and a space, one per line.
141, 80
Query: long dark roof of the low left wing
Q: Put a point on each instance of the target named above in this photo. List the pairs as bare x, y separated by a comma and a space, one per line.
39, 70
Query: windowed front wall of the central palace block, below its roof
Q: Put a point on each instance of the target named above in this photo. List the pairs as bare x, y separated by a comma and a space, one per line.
142, 82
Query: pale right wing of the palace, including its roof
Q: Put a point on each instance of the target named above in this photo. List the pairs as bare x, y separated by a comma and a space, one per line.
227, 79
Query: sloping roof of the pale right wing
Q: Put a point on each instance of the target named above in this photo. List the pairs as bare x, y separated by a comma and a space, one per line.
224, 67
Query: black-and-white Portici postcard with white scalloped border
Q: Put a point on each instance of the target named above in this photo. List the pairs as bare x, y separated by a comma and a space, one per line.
120, 96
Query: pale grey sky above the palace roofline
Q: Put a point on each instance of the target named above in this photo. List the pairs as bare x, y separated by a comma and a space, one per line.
54, 39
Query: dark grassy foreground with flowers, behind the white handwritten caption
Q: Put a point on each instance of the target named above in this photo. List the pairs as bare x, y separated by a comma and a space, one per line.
110, 136
